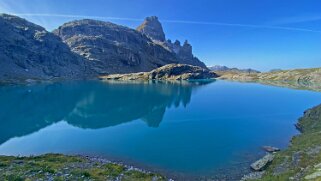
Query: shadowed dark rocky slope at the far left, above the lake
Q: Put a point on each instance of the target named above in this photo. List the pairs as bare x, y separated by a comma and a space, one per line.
28, 51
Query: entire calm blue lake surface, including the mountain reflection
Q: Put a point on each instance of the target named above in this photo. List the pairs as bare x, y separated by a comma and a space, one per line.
205, 129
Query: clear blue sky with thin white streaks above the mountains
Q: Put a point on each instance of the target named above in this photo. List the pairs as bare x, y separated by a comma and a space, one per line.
260, 34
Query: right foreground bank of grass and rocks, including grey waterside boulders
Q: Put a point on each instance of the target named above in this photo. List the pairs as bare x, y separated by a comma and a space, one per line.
301, 160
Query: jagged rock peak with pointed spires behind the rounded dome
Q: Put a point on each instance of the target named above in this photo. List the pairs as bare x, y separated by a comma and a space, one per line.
153, 29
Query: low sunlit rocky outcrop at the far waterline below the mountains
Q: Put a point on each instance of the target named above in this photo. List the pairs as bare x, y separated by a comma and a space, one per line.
167, 72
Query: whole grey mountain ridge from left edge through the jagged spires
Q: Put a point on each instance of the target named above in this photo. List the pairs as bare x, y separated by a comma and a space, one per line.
83, 49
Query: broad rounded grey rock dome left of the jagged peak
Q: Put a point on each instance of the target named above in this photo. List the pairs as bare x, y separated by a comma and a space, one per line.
112, 48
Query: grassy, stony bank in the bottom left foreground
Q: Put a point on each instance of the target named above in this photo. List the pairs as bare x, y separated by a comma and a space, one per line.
60, 167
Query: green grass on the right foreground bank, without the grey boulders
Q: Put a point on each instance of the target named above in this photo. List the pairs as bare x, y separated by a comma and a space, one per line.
304, 145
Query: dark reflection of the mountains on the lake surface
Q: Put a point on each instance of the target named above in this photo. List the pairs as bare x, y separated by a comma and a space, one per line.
88, 104
